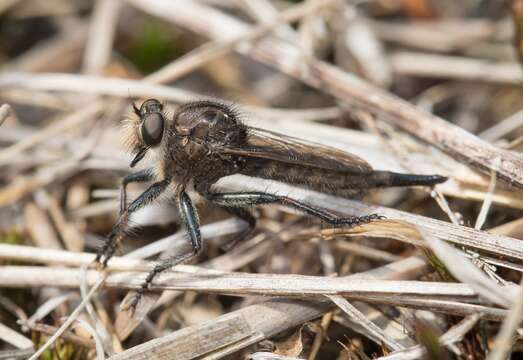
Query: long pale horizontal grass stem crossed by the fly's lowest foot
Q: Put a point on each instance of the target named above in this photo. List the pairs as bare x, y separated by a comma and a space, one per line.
299, 286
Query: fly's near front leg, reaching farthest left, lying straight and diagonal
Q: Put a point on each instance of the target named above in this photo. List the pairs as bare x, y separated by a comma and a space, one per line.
118, 231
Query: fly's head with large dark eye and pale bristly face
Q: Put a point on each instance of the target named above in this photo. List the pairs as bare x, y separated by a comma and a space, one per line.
146, 130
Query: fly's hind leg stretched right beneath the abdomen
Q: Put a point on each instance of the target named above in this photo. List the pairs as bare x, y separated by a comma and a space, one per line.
260, 198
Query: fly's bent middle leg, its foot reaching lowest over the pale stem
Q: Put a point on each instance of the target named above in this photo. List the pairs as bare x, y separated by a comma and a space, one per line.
190, 218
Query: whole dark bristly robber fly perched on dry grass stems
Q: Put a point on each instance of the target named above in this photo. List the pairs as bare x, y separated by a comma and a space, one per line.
205, 140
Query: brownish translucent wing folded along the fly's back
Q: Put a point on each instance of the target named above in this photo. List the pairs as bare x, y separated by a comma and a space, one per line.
268, 145
